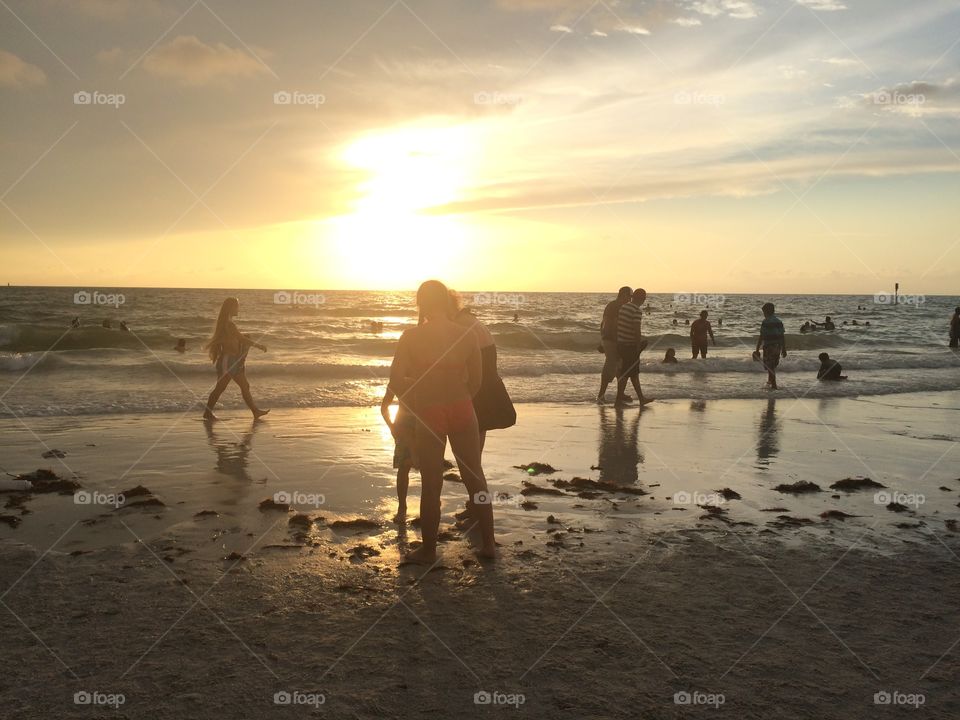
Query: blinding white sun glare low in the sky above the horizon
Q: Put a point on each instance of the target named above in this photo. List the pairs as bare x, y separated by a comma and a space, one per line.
389, 240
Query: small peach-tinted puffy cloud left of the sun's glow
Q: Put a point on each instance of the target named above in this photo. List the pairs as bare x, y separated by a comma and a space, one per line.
188, 60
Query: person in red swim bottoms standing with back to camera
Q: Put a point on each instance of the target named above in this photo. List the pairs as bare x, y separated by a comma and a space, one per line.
436, 372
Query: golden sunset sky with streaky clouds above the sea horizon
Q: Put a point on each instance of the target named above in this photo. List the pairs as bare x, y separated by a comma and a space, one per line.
783, 146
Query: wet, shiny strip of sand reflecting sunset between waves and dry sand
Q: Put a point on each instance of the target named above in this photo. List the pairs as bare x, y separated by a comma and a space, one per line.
339, 460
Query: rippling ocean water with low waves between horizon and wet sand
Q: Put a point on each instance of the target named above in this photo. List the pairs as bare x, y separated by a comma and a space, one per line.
324, 351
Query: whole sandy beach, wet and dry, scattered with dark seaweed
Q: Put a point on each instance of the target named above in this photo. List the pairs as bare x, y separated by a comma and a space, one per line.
603, 602
